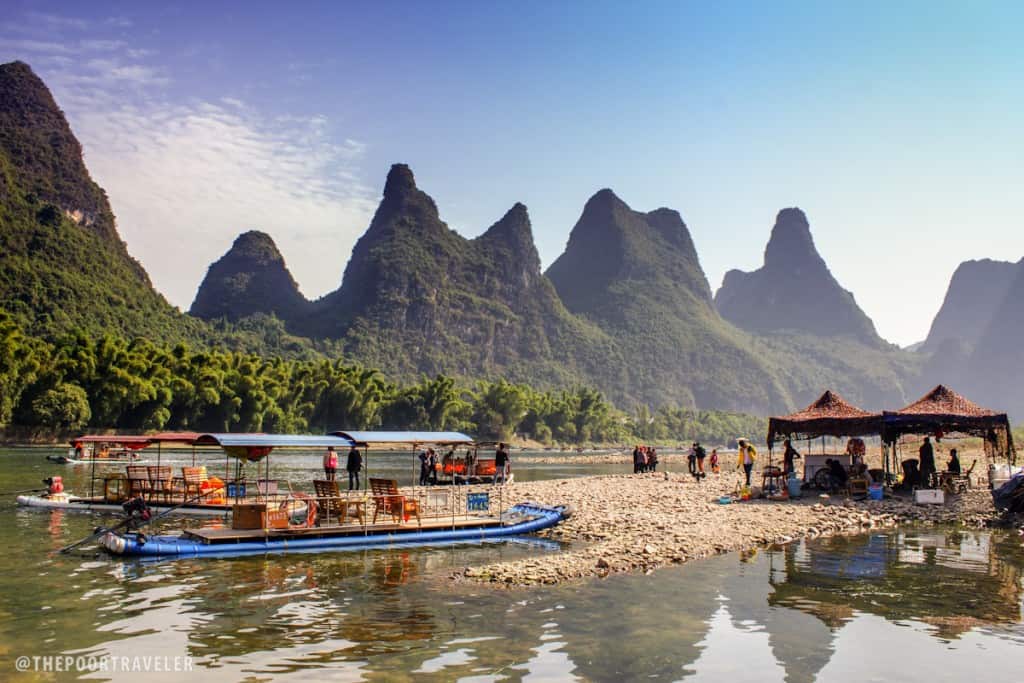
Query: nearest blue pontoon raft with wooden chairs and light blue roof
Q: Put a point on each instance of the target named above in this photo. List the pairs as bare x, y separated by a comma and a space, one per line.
334, 521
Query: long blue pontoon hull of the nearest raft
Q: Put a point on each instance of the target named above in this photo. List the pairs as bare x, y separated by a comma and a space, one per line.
536, 519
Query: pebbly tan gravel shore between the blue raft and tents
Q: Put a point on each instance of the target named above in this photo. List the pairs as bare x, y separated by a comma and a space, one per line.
629, 524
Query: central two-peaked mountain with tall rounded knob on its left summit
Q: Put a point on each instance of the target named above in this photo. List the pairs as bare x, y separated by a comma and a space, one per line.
417, 297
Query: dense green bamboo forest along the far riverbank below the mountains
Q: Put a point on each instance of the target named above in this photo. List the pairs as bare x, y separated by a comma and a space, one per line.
81, 382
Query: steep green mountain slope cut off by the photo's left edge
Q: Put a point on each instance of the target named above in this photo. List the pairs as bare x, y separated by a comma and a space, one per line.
63, 266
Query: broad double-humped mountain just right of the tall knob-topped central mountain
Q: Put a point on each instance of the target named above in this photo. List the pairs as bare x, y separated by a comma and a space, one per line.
638, 276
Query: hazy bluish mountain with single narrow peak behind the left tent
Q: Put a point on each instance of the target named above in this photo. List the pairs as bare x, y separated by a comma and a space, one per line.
794, 290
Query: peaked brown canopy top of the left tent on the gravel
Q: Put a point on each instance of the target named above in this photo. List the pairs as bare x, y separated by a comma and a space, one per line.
831, 415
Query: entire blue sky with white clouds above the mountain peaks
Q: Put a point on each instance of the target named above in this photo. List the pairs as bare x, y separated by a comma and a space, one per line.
897, 126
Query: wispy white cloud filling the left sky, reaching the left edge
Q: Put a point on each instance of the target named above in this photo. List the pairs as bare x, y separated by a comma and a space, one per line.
186, 178
